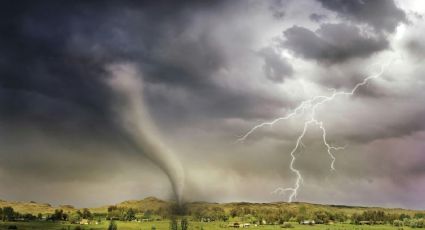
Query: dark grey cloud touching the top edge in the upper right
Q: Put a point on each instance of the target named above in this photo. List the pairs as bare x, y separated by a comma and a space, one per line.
381, 15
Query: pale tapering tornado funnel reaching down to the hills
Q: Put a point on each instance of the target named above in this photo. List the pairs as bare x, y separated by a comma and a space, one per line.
133, 116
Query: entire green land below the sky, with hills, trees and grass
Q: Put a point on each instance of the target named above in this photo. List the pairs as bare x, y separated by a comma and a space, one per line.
152, 213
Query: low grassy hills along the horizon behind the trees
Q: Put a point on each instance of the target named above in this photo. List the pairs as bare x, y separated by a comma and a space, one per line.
152, 203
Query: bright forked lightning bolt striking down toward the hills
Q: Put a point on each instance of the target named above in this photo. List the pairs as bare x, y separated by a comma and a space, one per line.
311, 105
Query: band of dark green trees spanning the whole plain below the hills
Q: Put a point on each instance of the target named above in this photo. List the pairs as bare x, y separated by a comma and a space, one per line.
251, 214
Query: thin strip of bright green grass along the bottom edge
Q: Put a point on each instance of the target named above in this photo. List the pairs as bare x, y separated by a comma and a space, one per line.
164, 225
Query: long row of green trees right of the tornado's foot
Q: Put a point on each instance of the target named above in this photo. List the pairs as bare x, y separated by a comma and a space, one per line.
274, 215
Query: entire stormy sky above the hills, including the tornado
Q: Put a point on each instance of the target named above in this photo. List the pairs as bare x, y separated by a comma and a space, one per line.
107, 101
